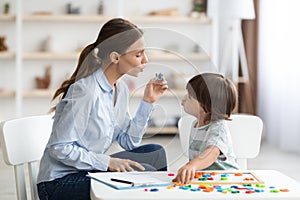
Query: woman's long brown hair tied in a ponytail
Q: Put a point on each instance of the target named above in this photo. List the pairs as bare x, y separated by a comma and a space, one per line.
115, 35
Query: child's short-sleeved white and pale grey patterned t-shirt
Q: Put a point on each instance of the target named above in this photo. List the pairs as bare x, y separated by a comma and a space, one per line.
214, 134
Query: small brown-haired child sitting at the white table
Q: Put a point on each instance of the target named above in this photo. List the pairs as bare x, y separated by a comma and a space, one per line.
211, 98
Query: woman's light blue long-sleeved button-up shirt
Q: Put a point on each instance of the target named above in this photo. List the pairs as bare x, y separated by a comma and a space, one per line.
86, 123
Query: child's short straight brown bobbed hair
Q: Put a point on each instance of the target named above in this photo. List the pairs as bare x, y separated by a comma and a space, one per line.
215, 93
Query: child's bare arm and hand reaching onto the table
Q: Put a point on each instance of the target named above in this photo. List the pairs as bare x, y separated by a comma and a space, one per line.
187, 172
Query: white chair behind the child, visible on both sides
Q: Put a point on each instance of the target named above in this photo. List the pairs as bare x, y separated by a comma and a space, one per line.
246, 131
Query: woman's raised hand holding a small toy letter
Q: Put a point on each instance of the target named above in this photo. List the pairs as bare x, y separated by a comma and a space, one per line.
155, 88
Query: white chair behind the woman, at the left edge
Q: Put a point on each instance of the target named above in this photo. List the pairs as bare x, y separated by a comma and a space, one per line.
23, 142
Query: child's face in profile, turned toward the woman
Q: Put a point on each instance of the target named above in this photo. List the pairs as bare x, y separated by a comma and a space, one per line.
191, 105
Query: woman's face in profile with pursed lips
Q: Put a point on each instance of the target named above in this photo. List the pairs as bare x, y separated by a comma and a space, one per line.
134, 60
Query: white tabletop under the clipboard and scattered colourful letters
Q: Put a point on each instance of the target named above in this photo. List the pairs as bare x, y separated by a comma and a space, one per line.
100, 191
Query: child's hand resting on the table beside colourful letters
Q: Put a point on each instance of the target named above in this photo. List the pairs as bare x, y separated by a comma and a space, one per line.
185, 174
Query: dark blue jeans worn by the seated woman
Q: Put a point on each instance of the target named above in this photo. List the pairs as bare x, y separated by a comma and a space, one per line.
76, 186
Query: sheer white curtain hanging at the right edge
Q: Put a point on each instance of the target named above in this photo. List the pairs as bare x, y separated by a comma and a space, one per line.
279, 72
